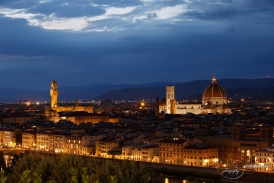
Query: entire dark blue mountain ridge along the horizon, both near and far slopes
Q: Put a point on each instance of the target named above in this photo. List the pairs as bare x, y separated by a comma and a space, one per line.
187, 90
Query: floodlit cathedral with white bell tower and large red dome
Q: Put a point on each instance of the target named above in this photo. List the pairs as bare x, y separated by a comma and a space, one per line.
214, 101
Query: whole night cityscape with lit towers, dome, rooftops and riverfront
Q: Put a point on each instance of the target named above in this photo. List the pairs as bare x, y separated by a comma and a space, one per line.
212, 134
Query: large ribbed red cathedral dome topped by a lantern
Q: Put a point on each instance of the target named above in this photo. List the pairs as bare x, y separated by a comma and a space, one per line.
214, 94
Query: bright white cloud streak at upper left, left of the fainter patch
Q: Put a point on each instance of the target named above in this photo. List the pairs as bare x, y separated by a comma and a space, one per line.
69, 23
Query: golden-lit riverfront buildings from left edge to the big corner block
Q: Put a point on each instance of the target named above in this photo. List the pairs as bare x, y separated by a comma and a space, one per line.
161, 149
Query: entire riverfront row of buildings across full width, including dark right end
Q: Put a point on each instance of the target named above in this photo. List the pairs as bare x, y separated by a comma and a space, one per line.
253, 151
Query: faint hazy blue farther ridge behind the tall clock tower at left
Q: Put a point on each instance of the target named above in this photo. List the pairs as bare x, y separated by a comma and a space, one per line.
68, 93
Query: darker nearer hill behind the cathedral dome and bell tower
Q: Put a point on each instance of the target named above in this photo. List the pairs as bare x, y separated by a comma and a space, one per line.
194, 90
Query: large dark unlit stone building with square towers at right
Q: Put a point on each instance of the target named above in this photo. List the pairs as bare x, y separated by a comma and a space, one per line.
240, 146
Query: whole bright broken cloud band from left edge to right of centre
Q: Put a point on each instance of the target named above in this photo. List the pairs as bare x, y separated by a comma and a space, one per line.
72, 16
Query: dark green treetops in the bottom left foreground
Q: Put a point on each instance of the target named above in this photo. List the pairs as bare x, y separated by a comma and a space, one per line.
37, 168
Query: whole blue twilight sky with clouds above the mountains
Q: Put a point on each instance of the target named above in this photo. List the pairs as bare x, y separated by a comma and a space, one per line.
79, 42
